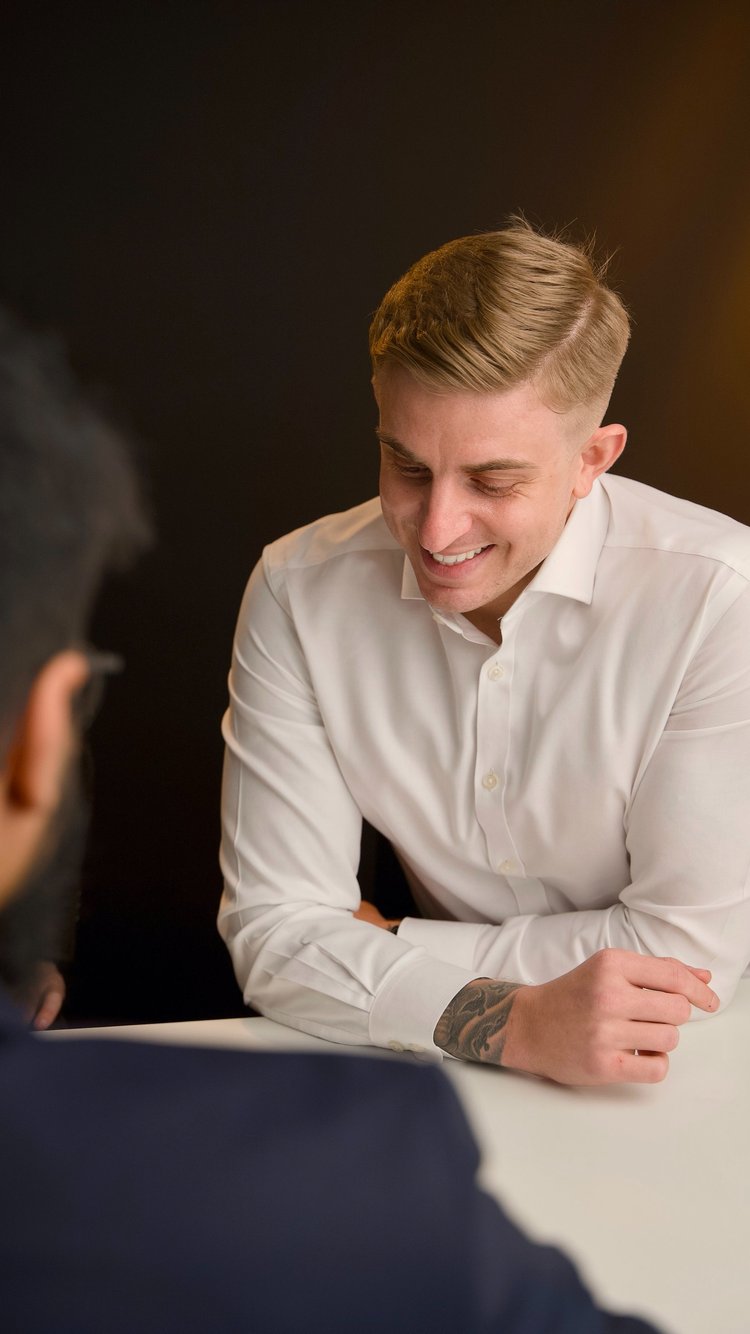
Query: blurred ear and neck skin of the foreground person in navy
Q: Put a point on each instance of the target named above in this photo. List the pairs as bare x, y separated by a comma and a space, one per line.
34, 774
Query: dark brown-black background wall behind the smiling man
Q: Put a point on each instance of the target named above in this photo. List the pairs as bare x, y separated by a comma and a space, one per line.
209, 201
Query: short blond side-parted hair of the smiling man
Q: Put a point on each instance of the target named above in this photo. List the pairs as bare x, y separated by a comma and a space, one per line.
504, 309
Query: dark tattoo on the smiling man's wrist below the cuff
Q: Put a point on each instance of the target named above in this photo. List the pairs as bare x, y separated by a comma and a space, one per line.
473, 1027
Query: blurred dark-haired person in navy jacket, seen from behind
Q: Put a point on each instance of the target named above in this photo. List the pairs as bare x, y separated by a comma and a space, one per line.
149, 1188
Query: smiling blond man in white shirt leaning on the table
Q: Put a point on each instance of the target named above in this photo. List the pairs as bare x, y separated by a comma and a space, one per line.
530, 677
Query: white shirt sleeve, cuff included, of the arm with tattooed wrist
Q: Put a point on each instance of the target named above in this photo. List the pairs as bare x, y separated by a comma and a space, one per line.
290, 853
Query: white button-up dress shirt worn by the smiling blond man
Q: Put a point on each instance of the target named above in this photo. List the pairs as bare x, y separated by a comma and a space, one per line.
584, 785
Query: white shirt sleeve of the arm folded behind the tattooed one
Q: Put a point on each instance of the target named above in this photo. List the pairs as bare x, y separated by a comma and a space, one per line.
687, 834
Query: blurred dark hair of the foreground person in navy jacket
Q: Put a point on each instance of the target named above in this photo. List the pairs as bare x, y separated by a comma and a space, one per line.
69, 509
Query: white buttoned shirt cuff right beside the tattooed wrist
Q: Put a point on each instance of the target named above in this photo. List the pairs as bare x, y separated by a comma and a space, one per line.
412, 1001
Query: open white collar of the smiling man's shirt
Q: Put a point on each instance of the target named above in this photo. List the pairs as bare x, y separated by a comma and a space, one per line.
571, 570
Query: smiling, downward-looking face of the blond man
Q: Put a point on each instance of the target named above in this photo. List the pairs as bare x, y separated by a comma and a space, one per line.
486, 478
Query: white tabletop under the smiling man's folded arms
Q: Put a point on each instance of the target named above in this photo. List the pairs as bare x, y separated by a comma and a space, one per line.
648, 1188
